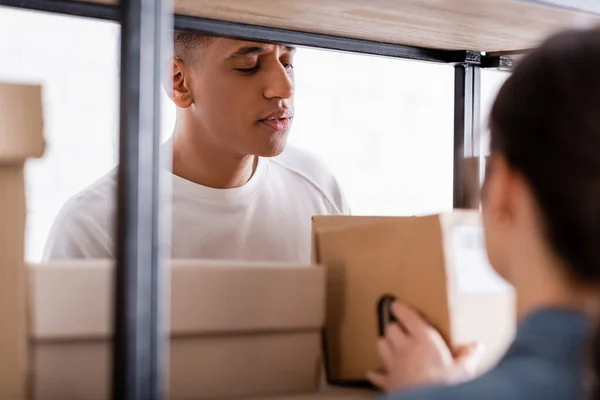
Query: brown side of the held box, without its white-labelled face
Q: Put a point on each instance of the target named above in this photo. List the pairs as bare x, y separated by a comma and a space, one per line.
399, 256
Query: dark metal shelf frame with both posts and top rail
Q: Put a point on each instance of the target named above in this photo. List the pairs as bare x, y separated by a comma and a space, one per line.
139, 361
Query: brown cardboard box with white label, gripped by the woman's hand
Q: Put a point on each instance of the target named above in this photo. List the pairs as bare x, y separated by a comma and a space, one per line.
436, 264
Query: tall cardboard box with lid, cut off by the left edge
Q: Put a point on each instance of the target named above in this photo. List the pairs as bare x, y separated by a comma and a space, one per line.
21, 137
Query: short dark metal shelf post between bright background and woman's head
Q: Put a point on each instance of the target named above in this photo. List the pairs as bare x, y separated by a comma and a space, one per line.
467, 87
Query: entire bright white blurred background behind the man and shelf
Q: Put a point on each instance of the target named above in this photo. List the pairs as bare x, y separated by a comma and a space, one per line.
384, 126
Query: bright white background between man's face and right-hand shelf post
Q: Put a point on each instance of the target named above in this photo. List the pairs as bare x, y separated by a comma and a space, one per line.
384, 126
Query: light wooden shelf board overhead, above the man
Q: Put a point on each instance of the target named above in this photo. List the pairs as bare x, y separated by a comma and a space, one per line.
481, 25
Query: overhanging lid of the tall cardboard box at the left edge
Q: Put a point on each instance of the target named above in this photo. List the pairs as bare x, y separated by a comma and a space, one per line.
21, 125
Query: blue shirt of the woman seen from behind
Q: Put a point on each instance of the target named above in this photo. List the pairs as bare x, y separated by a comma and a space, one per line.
545, 361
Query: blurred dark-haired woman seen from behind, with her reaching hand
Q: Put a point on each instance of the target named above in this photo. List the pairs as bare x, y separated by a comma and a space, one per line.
541, 214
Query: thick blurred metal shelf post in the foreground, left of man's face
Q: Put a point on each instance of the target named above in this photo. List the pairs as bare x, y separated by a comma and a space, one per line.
139, 347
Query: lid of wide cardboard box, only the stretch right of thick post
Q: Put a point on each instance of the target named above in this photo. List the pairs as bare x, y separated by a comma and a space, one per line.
224, 297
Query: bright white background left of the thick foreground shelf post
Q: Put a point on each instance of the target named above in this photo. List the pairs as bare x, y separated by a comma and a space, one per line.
76, 62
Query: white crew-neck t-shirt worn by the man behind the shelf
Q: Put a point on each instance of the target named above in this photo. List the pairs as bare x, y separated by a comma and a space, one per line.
267, 219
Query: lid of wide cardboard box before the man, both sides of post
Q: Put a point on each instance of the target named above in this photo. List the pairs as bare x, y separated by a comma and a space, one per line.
74, 299
